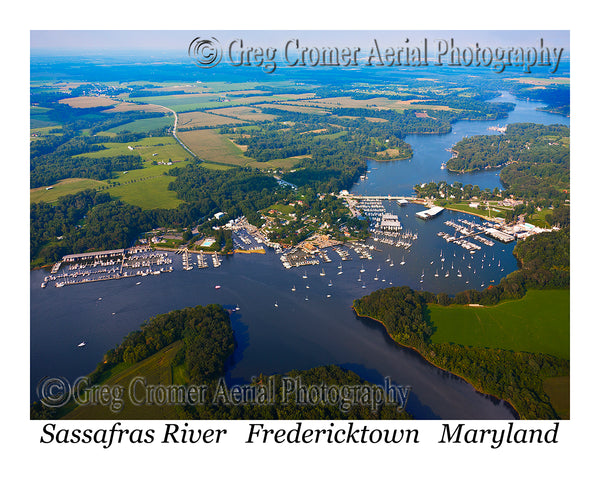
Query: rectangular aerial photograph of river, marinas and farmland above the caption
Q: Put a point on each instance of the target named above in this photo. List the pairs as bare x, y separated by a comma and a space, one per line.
288, 225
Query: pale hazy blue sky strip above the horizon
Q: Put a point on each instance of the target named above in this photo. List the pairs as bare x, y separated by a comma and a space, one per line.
104, 41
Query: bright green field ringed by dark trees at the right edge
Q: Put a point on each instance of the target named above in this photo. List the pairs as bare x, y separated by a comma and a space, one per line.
538, 322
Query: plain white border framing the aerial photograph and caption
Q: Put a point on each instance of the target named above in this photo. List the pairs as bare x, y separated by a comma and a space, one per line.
156, 461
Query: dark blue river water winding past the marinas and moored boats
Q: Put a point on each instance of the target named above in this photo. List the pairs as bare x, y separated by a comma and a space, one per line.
307, 327
